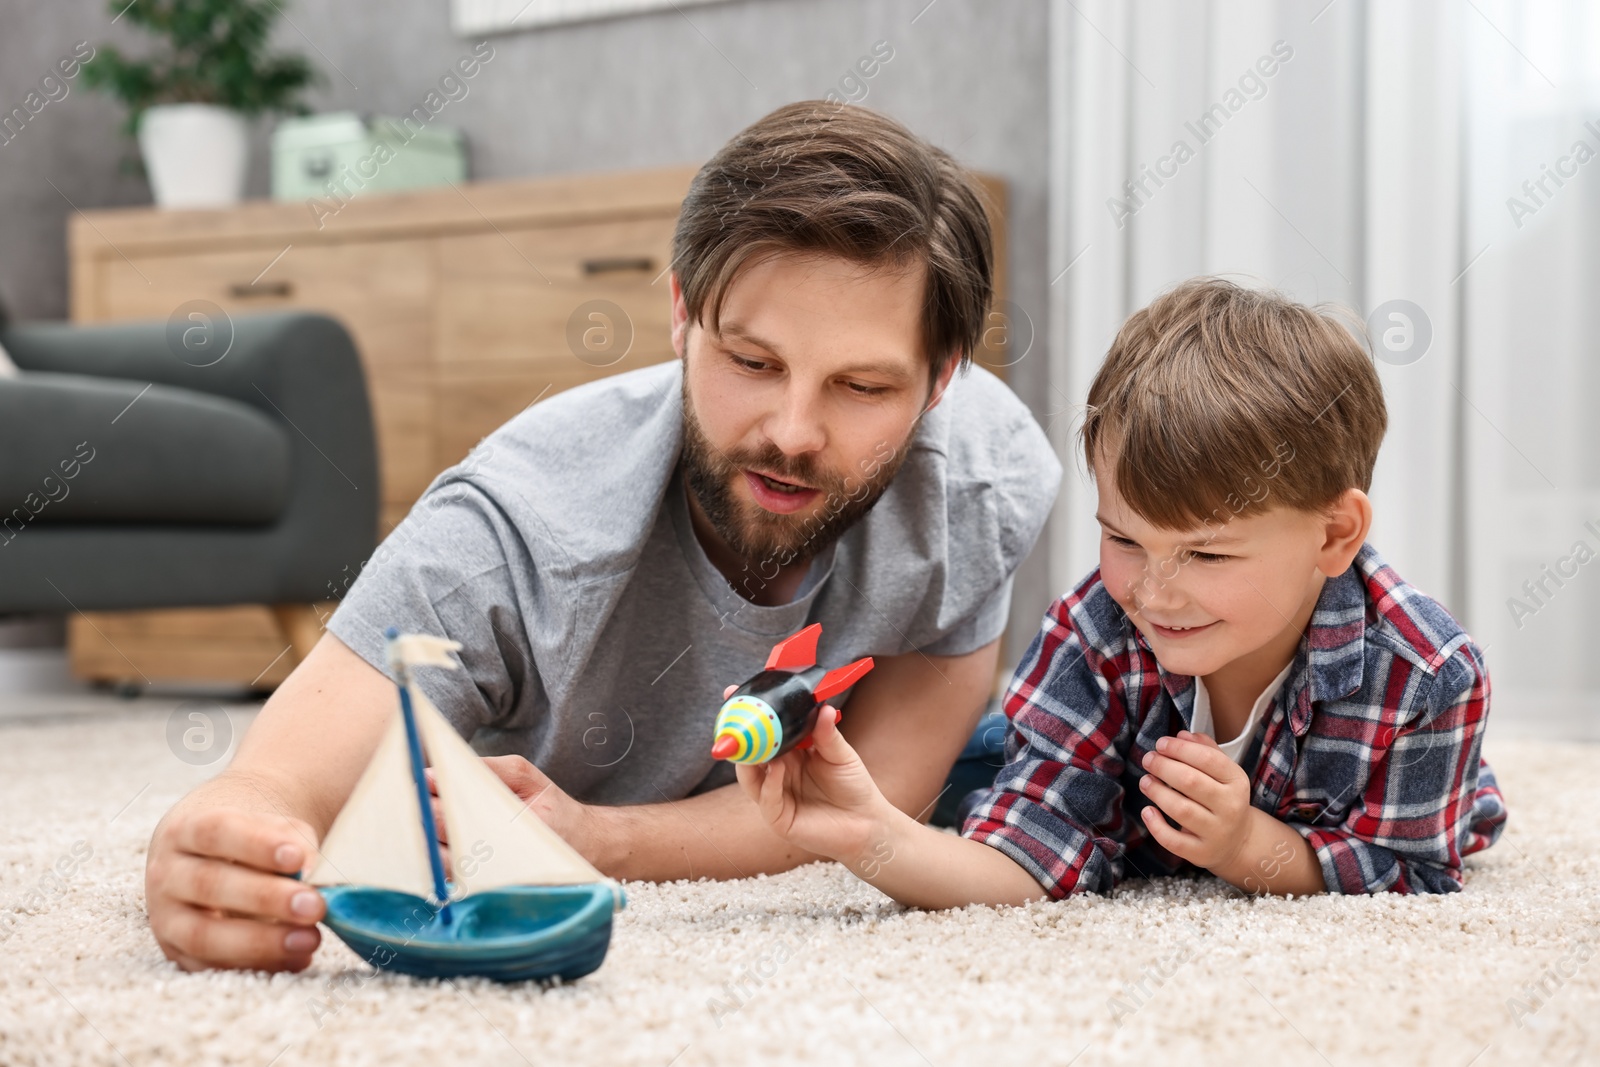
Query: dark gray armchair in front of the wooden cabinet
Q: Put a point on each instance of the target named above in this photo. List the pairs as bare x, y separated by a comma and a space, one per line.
132, 479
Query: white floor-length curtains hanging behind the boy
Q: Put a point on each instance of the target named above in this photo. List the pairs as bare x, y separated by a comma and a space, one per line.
1361, 154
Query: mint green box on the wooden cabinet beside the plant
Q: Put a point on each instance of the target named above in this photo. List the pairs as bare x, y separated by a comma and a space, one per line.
343, 154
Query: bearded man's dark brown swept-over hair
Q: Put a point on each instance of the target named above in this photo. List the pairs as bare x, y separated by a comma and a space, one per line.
839, 180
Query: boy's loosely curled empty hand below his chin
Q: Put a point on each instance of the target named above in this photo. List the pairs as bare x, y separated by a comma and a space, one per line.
1206, 793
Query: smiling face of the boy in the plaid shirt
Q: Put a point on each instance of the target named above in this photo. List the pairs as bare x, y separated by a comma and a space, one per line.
1238, 588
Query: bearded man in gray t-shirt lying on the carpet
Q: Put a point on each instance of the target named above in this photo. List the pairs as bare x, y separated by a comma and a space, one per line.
615, 556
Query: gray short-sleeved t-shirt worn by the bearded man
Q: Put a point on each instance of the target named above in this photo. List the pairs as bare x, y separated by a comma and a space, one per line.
598, 636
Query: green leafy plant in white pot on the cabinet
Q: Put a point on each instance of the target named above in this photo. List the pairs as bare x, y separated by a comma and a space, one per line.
191, 100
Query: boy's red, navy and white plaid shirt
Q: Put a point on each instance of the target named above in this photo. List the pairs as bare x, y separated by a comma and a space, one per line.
1370, 749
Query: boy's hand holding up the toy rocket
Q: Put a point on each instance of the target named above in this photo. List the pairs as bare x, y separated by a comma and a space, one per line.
822, 799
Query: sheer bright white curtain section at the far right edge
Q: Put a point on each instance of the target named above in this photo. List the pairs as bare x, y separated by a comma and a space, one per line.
1532, 447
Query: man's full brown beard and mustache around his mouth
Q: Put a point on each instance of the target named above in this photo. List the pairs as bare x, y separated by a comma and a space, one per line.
761, 537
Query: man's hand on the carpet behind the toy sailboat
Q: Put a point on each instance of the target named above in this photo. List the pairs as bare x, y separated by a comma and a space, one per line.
218, 897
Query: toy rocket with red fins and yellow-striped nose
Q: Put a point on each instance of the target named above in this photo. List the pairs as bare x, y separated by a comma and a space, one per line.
777, 709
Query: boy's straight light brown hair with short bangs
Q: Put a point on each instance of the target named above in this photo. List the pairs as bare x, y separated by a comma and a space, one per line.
1218, 401
